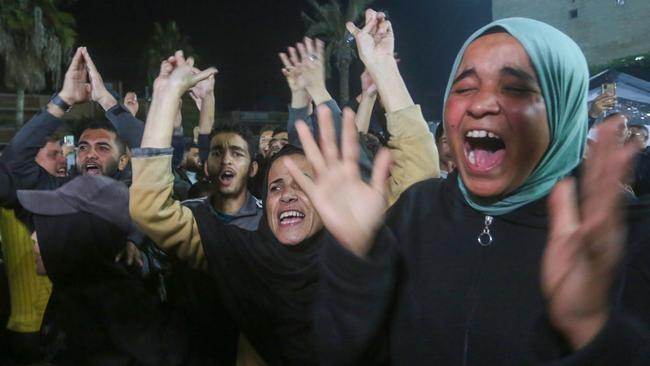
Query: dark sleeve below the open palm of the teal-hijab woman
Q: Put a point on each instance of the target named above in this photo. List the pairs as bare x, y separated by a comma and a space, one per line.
354, 302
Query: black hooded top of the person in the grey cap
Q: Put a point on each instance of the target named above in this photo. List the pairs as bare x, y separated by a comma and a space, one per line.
109, 317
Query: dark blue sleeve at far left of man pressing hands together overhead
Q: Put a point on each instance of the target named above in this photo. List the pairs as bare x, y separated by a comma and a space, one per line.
19, 155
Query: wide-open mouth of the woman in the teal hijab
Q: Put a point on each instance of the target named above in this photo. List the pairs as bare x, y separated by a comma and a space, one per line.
484, 150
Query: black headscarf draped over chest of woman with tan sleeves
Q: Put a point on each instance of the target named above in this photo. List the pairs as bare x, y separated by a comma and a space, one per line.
268, 287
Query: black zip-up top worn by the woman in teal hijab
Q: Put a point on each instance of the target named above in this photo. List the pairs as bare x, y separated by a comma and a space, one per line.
430, 293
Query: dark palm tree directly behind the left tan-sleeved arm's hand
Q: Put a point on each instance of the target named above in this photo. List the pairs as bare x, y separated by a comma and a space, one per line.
166, 40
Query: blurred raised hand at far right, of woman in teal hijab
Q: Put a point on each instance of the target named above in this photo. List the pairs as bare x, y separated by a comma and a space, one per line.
586, 241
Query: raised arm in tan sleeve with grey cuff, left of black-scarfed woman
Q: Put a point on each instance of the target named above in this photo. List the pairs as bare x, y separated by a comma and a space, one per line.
170, 225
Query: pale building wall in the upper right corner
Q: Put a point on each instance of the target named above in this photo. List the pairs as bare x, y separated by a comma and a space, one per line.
603, 29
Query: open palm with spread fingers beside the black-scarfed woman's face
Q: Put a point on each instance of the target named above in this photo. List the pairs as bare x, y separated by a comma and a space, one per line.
351, 210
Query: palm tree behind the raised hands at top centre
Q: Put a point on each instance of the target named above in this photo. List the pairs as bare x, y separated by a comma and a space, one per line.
328, 23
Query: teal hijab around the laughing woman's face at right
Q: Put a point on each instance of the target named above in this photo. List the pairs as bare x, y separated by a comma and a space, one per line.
564, 79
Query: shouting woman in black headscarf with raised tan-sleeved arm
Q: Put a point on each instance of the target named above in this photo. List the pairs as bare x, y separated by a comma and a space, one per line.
265, 278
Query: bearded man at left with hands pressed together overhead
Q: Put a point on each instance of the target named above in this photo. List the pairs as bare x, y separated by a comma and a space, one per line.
101, 148
